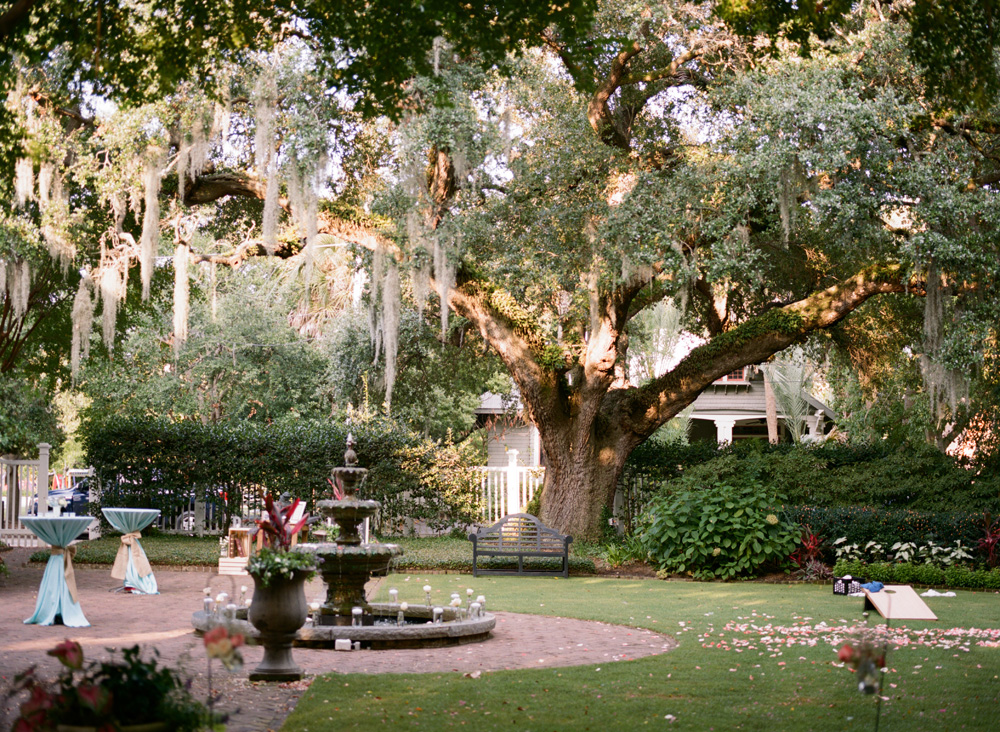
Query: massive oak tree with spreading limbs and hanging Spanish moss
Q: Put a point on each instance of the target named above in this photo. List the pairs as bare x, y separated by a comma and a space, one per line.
659, 156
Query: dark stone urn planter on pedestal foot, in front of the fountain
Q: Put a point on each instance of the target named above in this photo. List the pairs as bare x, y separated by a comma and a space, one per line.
277, 611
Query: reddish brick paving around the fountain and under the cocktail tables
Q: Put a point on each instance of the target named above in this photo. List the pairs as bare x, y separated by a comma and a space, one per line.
163, 621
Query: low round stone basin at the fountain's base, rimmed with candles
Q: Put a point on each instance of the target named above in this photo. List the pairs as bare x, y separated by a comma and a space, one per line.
451, 632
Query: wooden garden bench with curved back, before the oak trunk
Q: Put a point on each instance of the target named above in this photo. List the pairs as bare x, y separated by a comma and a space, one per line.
520, 535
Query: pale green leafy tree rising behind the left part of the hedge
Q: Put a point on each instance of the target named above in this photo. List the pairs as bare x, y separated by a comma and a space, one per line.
242, 360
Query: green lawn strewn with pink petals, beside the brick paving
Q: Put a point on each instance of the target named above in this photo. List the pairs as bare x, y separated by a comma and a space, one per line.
751, 657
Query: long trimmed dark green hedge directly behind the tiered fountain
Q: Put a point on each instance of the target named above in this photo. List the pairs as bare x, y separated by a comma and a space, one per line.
164, 464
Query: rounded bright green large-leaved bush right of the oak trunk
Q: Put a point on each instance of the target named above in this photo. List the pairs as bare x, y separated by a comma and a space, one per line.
717, 531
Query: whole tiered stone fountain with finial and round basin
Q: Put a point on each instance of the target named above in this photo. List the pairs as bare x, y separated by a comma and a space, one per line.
346, 565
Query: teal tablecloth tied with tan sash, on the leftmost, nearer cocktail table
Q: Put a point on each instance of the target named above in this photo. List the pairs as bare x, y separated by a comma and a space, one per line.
57, 596
